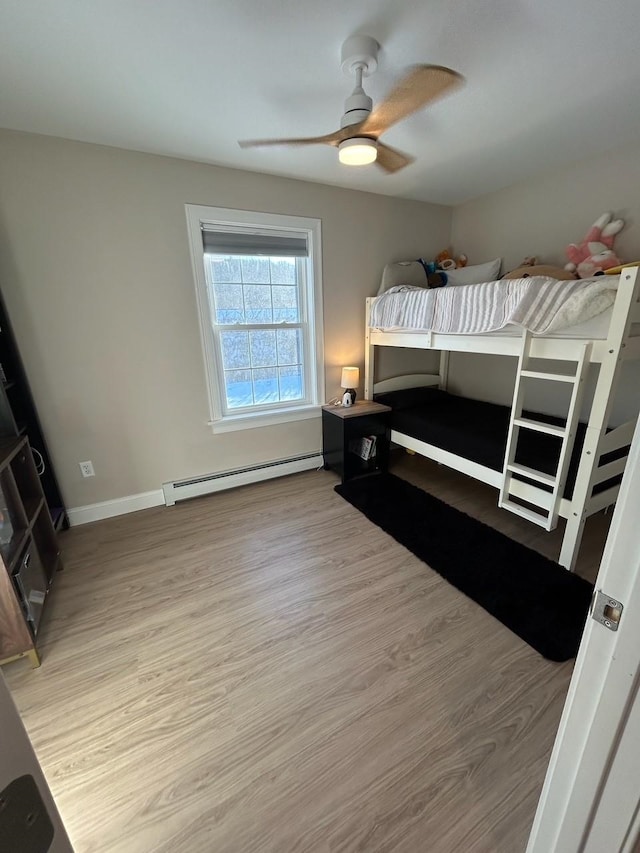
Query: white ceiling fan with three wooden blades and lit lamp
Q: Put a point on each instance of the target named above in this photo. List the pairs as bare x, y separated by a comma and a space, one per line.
358, 139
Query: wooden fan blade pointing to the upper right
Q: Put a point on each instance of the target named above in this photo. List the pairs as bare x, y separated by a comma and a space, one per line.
422, 85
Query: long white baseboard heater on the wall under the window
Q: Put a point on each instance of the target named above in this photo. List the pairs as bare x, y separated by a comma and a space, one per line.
179, 490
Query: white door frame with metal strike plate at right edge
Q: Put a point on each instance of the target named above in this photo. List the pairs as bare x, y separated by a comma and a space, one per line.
590, 800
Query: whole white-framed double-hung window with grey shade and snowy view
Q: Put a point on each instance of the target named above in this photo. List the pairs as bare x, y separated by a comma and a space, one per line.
258, 286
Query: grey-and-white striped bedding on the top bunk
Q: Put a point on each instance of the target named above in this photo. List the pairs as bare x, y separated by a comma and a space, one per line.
538, 303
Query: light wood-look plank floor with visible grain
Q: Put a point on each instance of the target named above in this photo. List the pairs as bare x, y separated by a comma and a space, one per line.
263, 670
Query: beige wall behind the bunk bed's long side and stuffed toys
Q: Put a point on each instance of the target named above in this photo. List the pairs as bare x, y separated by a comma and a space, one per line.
540, 217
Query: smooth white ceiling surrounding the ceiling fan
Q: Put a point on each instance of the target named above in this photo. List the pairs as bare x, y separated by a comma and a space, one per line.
548, 82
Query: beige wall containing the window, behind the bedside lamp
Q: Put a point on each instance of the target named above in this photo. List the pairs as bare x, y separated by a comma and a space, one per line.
96, 274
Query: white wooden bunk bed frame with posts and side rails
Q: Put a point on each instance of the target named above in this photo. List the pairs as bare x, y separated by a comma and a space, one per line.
609, 353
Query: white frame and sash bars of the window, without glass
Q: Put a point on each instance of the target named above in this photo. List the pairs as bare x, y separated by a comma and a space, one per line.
312, 325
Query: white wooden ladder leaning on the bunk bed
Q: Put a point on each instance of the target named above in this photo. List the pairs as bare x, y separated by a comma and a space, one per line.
555, 483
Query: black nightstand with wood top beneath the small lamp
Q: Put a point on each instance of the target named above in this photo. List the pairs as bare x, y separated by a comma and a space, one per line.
355, 439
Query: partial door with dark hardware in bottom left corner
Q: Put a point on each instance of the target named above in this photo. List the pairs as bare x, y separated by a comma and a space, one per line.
29, 819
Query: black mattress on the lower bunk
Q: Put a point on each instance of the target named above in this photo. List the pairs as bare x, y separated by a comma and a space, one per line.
477, 431
